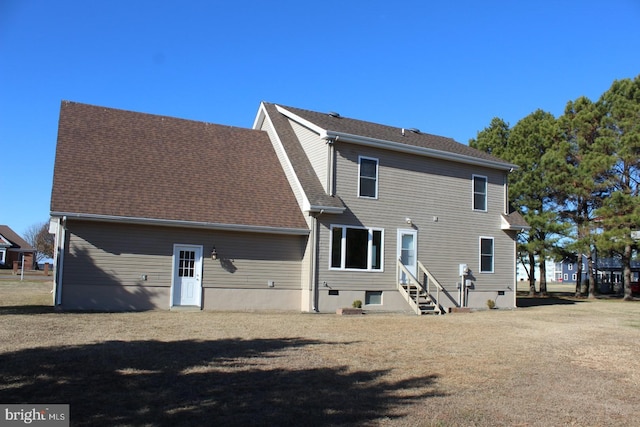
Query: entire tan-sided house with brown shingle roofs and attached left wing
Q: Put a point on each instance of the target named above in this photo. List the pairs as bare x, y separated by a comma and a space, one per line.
306, 211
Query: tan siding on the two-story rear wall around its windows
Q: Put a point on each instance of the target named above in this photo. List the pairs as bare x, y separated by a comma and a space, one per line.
437, 196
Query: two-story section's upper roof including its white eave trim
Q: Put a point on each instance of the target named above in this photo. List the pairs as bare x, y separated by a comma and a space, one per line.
431, 144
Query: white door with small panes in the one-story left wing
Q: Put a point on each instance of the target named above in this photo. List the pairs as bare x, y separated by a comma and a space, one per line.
187, 269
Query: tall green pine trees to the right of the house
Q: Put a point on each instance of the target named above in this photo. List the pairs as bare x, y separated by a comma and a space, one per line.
577, 181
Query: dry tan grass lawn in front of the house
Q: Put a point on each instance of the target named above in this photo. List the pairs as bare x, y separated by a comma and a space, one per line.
560, 362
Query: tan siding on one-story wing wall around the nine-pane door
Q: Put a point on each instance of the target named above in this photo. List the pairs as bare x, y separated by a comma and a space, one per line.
118, 255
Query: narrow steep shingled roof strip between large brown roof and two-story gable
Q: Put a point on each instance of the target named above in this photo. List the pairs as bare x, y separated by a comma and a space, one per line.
302, 167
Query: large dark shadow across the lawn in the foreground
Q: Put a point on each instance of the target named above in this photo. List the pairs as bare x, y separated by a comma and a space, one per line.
222, 382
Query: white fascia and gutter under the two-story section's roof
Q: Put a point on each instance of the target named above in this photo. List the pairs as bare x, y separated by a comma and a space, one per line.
412, 149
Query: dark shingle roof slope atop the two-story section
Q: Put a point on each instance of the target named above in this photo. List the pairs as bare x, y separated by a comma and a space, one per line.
393, 134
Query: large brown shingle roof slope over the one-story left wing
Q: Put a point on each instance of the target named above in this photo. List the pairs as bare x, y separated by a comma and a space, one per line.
134, 166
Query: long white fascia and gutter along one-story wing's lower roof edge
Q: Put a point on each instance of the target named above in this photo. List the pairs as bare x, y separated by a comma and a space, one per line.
182, 224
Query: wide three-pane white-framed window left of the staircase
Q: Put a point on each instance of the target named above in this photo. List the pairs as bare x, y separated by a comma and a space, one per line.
356, 248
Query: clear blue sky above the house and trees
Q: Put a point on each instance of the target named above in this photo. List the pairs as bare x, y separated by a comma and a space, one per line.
445, 67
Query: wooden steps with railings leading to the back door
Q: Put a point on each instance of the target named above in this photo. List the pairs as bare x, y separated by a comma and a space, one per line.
419, 297
